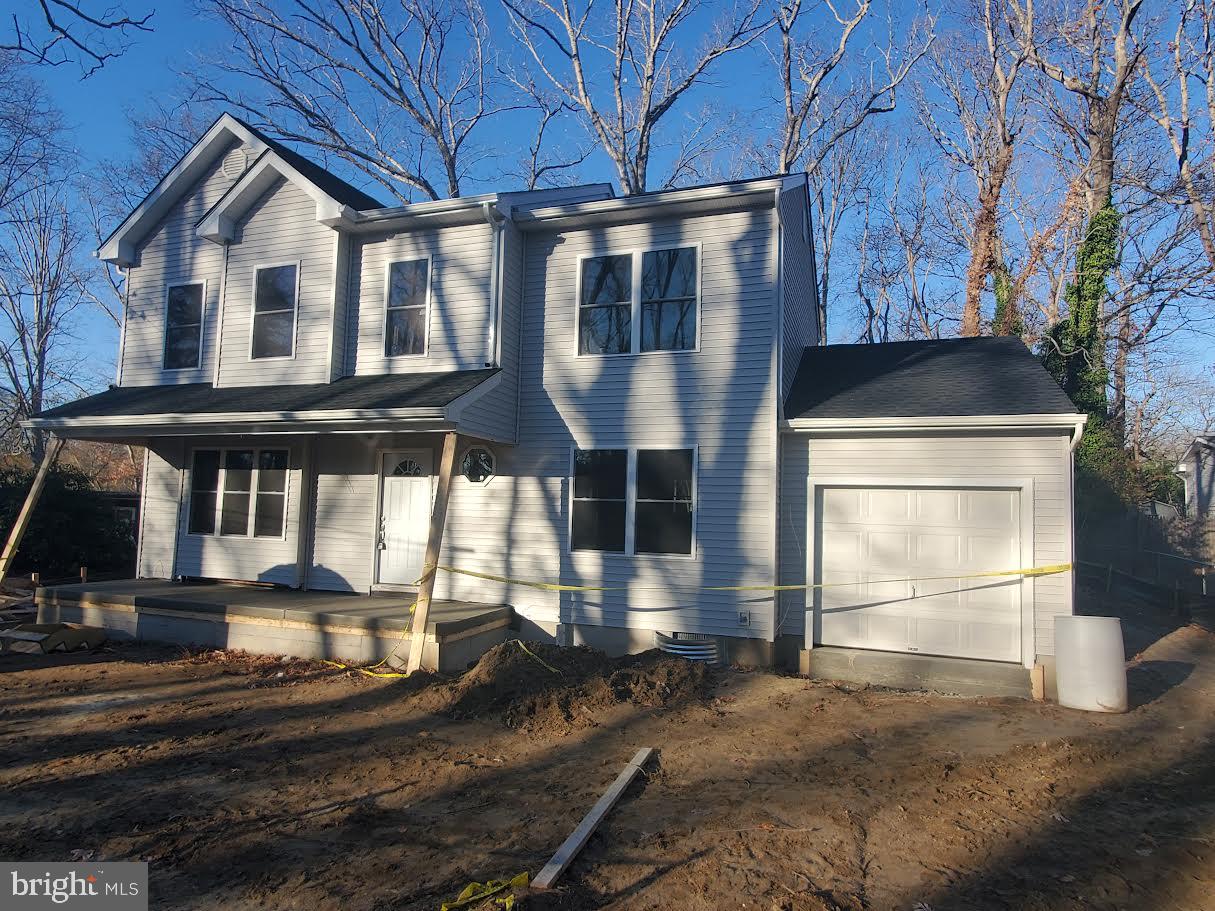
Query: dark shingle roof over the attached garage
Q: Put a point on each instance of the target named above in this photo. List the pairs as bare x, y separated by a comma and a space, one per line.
920, 380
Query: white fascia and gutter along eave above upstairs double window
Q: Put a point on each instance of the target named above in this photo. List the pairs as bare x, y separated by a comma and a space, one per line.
697, 201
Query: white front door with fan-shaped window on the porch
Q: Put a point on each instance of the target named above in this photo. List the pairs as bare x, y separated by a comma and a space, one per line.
405, 516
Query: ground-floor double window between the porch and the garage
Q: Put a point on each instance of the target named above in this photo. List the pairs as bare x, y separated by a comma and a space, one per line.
634, 501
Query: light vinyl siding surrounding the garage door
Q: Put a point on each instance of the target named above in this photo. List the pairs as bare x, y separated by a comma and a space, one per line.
1042, 457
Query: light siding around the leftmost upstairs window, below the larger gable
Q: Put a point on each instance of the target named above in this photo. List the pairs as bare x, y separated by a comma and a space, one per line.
172, 254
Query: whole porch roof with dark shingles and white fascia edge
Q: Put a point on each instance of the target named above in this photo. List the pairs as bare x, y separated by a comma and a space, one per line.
197, 408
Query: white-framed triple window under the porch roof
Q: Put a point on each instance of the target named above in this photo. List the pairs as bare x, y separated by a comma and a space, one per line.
242, 493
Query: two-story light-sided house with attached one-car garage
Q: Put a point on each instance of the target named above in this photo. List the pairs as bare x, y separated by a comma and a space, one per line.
640, 399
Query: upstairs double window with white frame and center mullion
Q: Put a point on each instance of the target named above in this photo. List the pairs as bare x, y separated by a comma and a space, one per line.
638, 303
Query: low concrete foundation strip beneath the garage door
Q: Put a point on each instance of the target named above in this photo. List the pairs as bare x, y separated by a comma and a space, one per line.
956, 677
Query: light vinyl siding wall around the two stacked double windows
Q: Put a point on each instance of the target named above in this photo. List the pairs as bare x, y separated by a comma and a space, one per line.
720, 400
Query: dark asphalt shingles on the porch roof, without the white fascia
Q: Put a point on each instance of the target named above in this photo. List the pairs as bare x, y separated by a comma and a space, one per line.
406, 391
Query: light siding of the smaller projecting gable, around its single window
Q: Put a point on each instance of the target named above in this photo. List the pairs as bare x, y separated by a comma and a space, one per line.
280, 229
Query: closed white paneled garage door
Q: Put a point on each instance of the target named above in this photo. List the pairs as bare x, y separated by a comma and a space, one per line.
875, 539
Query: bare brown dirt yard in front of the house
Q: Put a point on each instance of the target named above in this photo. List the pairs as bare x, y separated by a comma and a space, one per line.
263, 784
